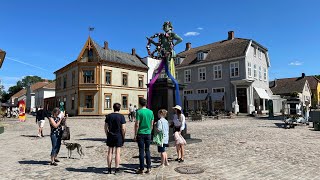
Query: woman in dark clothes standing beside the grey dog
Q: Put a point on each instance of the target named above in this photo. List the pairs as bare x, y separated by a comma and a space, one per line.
56, 132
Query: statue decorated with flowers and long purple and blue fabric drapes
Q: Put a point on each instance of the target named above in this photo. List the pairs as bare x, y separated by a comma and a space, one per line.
164, 51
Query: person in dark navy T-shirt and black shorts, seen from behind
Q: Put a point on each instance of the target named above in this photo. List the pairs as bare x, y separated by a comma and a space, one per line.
115, 130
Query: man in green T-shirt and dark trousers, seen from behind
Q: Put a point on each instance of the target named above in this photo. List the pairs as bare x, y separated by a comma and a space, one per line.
143, 127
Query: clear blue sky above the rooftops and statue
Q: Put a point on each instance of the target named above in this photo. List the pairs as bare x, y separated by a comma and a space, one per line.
41, 36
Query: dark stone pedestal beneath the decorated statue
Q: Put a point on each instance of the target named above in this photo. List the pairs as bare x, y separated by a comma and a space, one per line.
163, 97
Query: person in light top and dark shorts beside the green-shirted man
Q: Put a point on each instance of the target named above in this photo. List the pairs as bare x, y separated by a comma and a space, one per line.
163, 129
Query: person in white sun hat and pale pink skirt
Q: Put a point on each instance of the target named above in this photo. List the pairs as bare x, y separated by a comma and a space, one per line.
179, 122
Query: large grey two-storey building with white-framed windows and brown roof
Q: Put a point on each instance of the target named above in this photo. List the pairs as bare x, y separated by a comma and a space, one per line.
235, 67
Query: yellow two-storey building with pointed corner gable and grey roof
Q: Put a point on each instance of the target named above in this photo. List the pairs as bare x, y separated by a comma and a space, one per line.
100, 77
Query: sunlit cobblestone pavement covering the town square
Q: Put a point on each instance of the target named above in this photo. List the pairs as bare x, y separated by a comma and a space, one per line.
243, 148
